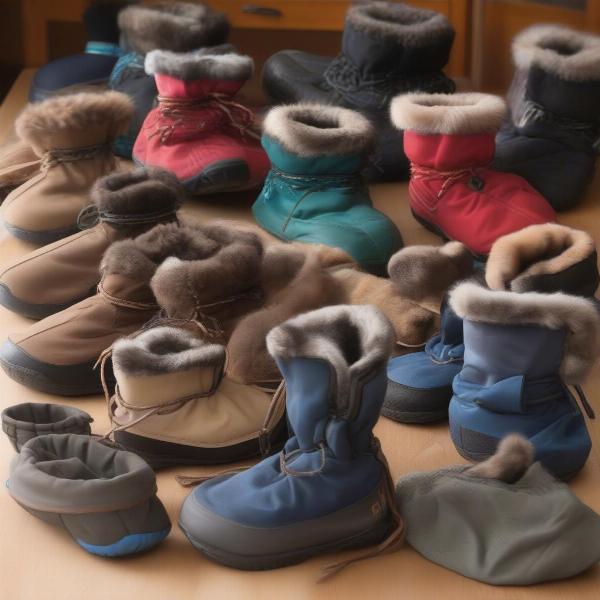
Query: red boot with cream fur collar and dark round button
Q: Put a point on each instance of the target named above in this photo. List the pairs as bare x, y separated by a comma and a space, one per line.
449, 140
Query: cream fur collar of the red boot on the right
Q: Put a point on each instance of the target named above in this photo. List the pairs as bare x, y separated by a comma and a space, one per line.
448, 114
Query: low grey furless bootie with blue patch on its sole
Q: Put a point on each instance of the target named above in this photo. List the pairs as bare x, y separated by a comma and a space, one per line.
104, 497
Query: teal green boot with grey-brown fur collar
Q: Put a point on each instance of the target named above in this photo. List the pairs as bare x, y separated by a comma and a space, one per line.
314, 192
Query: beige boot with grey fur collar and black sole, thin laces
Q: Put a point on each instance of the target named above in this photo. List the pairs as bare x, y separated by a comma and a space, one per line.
174, 404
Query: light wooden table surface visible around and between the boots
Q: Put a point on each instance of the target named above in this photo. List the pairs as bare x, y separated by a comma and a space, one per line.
38, 561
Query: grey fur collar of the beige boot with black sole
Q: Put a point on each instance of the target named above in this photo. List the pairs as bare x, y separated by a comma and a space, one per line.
162, 350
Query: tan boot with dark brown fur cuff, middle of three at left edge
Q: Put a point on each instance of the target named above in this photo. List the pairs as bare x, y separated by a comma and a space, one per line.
56, 276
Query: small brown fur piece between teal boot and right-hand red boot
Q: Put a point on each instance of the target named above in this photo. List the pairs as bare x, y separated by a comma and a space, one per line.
424, 273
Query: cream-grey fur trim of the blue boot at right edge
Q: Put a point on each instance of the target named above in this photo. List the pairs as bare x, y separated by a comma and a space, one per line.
577, 316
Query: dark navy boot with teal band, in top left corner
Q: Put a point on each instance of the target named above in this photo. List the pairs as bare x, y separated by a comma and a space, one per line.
90, 69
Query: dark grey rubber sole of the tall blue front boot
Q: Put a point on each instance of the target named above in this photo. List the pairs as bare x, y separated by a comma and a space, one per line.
285, 559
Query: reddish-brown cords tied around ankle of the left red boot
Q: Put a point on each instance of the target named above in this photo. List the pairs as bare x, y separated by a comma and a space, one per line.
178, 111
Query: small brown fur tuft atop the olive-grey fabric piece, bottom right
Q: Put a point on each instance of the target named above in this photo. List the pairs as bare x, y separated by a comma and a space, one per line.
513, 456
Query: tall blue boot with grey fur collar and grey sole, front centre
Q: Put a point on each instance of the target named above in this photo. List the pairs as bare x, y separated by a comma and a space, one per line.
329, 488
